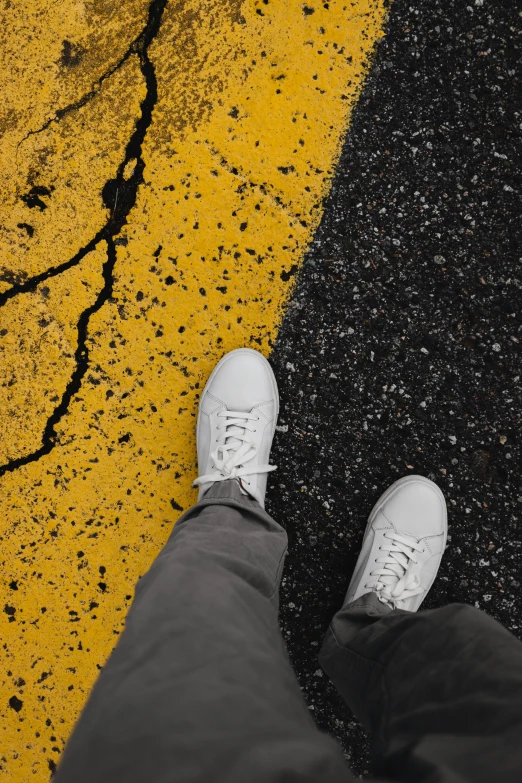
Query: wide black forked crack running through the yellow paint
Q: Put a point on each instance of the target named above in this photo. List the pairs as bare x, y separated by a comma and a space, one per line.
119, 196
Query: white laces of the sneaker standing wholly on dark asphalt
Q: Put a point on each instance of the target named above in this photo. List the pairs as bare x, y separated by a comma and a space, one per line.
396, 582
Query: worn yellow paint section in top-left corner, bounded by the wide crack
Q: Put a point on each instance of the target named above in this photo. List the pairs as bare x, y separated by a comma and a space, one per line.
77, 154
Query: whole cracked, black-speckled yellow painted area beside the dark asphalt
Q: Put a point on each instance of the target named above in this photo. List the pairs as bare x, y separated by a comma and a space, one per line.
253, 101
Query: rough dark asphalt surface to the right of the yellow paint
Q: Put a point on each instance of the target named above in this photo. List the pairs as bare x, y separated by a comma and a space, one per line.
400, 351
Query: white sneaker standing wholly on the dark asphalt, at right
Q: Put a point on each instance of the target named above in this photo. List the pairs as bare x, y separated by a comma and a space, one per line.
403, 544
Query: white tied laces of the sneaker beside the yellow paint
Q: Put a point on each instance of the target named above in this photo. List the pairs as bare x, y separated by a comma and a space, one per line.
234, 449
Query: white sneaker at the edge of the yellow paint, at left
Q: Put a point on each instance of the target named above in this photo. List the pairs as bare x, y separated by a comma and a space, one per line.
236, 423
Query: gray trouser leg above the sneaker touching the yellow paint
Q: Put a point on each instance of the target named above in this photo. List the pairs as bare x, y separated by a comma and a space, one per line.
199, 687
